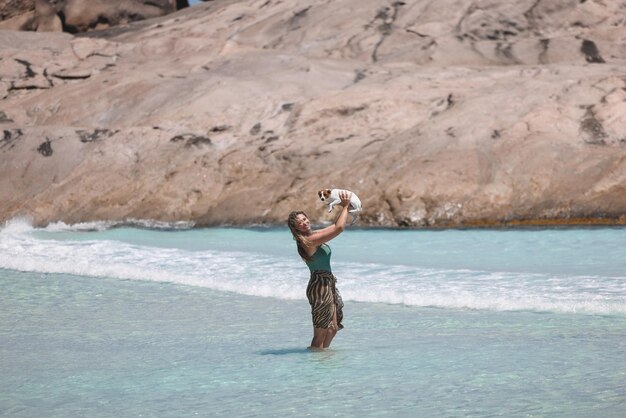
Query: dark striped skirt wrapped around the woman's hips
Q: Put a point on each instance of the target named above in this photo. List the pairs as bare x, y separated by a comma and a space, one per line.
325, 299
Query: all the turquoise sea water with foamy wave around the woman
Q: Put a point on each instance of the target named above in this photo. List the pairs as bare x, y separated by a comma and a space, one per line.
165, 320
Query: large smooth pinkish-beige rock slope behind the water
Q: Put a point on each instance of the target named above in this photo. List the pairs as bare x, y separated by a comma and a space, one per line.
437, 113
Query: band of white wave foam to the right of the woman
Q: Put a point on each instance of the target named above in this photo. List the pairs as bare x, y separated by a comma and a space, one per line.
497, 291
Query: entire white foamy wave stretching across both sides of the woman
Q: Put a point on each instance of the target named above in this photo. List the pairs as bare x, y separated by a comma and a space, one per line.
273, 276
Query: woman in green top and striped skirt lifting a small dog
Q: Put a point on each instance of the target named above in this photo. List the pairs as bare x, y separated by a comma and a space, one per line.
322, 293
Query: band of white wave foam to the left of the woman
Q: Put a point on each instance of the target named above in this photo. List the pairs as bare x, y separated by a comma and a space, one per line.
103, 258
